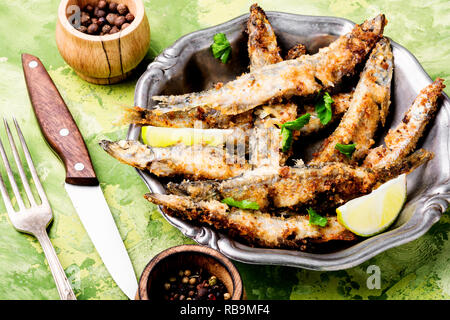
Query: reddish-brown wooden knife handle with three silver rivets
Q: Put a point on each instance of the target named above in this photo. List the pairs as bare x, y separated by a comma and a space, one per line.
57, 124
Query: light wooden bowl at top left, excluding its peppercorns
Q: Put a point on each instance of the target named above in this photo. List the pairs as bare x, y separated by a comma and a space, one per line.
103, 59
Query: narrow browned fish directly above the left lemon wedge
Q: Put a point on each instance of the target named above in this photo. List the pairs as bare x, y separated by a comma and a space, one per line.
207, 118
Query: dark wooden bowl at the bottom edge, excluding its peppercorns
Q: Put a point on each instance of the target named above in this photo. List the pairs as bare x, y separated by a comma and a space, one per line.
173, 259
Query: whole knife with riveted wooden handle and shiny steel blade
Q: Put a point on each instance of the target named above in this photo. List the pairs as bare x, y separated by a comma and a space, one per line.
82, 186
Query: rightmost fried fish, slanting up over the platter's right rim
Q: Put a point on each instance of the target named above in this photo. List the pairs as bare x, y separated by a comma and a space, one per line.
403, 139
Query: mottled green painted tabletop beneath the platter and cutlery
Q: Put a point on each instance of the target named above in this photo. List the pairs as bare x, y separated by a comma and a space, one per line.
417, 270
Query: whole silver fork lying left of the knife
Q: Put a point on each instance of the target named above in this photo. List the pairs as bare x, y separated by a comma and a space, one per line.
34, 219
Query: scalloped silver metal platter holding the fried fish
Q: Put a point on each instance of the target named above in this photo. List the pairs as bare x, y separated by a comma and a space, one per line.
188, 66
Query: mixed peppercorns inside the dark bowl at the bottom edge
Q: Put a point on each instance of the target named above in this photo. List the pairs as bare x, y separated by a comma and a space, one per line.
194, 285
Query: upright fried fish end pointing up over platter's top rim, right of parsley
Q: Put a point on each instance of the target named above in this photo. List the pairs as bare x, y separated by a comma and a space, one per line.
262, 41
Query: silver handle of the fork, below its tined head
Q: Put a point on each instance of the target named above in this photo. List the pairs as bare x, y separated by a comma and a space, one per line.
62, 283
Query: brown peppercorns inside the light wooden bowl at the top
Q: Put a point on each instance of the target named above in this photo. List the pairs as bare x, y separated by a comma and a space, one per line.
105, 18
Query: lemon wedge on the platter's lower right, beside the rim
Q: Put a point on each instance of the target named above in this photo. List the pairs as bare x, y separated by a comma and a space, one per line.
373, 213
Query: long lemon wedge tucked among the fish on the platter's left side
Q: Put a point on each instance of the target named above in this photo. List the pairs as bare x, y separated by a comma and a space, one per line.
164, 137
